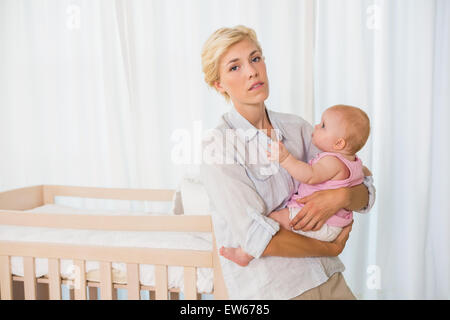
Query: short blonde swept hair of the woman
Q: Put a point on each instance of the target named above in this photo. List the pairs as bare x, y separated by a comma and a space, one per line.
217, 44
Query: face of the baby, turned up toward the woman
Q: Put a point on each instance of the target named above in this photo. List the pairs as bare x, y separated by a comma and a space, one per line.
328, 131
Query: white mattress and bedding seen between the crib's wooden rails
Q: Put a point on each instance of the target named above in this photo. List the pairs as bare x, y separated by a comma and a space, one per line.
164, 240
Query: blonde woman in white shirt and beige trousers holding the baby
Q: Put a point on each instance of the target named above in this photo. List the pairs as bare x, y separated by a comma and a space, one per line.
244, 187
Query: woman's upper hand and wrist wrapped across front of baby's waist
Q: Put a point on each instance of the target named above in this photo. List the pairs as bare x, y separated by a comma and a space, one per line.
318, 208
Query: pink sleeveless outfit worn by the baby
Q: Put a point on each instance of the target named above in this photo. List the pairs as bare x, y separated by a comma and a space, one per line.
343, 217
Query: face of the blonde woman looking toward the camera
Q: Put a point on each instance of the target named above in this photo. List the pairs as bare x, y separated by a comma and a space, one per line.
243, 74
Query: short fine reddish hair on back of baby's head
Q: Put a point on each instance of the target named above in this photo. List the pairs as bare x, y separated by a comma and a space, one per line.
357, 126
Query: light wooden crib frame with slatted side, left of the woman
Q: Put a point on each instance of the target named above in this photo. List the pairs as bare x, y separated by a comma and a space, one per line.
12, 204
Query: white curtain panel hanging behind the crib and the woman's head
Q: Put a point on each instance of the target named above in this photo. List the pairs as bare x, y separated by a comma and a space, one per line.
93, 93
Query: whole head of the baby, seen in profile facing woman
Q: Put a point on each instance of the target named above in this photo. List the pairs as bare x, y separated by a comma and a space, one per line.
343, 129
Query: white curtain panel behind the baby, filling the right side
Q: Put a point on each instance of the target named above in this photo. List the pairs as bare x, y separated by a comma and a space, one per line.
391, 58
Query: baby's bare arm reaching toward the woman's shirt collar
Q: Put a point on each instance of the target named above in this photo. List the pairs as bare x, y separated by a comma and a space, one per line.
324, 169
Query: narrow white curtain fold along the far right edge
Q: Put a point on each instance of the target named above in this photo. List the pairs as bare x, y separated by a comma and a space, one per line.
437, 248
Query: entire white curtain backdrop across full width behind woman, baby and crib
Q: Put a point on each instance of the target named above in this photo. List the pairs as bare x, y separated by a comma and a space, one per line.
93, 92
